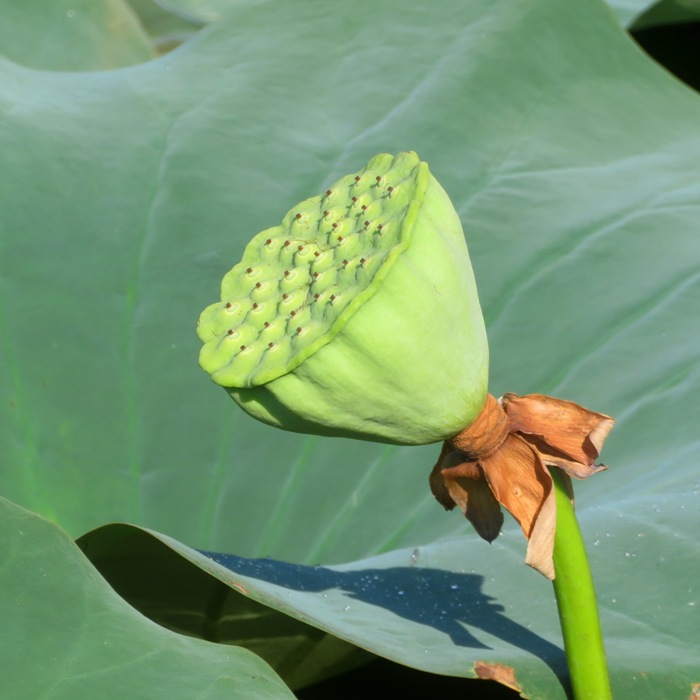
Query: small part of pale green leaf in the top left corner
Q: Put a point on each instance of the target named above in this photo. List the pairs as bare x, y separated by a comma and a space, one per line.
72, 35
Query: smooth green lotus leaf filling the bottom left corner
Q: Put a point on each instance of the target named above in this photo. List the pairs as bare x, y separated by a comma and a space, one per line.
68, 636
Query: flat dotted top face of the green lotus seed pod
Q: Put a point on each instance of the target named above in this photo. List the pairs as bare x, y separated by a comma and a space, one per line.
299, 283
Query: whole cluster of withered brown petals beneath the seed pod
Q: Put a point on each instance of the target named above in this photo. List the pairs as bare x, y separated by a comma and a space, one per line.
502, 458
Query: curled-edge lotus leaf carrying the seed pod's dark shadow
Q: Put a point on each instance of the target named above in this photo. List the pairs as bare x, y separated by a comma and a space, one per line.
427, 607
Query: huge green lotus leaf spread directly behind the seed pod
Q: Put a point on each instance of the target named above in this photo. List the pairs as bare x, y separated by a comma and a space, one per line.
572, 160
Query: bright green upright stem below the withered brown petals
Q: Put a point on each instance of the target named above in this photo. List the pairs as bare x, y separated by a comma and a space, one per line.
578, 610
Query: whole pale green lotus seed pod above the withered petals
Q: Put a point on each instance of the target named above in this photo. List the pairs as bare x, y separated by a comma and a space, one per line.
357, 316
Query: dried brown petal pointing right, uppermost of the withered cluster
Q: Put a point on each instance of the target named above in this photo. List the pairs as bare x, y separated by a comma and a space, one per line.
566, 427
